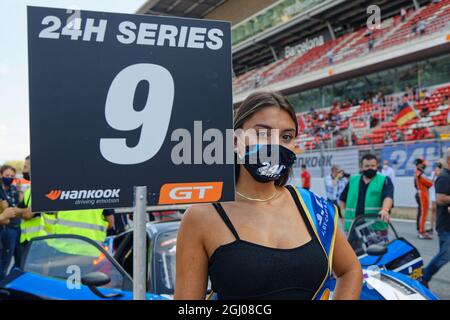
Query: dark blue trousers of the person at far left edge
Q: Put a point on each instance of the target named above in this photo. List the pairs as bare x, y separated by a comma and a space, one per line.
10, 247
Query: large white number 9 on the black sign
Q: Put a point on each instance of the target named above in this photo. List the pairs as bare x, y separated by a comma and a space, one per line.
154, 118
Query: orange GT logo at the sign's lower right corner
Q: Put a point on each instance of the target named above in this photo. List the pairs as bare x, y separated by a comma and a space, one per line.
172, 193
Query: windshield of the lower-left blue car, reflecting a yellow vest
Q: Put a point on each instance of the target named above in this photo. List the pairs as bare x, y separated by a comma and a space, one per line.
70, 259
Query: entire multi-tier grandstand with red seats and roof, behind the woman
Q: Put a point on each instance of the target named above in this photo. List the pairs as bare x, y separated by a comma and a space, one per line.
346, 81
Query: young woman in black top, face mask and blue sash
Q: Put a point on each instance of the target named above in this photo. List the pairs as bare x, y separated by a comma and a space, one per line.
274, 241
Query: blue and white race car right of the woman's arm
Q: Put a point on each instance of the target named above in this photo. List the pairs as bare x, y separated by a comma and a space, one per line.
391, 265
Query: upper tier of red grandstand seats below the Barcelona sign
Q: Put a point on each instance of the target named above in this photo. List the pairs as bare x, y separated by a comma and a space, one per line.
350, 46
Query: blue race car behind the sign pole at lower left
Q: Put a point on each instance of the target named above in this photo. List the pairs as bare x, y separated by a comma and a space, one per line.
70, 267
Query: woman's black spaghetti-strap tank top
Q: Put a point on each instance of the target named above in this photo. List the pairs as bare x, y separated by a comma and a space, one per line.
244, 270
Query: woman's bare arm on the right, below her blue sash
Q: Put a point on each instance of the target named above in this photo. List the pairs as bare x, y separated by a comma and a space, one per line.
347, 269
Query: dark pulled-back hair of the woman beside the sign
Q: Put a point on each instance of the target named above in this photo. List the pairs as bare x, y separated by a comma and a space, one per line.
254, 103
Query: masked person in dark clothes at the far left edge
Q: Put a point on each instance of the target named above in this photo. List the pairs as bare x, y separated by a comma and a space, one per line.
10, 233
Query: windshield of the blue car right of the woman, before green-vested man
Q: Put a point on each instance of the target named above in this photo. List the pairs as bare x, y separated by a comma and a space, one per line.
367, 231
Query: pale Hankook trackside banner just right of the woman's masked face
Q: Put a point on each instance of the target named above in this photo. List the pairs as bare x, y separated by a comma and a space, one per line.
314, 161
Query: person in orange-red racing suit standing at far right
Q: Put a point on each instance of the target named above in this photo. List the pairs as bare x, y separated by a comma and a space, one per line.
422, 184
